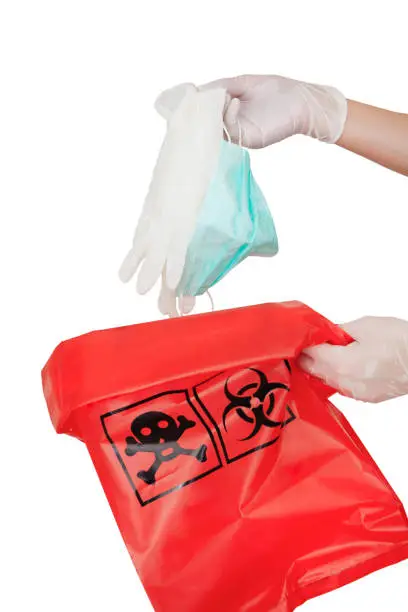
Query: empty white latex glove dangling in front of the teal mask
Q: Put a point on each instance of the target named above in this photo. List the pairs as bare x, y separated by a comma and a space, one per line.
183, 171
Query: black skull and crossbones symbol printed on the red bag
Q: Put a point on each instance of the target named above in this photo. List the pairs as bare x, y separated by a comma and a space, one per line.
158, 433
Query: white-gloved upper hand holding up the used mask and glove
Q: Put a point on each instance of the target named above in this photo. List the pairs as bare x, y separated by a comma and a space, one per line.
271, 108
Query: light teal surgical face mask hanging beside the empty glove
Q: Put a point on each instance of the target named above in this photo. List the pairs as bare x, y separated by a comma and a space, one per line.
234, 222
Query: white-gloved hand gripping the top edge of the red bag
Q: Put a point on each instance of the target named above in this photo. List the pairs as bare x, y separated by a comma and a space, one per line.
374, 368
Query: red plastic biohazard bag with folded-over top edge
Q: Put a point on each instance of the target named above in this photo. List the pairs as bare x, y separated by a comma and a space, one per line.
235, 483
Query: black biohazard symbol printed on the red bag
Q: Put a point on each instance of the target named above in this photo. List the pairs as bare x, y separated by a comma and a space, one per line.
254, 403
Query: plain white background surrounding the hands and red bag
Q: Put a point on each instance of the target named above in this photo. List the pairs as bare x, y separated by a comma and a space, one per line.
79, 138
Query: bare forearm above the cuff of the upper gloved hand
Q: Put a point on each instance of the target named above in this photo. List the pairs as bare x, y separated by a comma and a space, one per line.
377, 134
